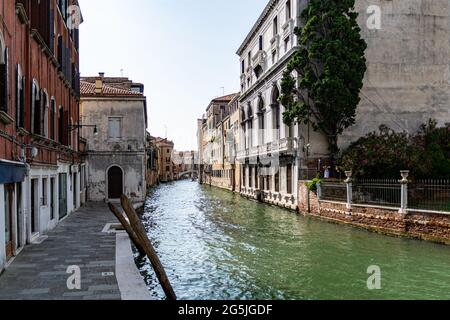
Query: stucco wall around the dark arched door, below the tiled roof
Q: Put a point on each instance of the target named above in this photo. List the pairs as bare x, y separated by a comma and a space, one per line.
128, 152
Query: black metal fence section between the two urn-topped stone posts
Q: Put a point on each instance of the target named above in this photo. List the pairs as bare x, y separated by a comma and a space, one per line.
382, 192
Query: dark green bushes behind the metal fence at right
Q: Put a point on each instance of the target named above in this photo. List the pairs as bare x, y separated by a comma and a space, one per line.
385, 153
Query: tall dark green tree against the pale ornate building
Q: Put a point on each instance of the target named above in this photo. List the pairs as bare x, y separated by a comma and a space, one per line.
322, 82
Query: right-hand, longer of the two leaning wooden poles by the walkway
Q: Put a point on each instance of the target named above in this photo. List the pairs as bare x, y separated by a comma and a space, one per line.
141, 235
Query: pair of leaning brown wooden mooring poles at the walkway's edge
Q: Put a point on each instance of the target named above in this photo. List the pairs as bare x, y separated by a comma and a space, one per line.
138, 234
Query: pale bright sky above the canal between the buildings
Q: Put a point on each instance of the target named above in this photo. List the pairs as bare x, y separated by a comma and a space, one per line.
183, 51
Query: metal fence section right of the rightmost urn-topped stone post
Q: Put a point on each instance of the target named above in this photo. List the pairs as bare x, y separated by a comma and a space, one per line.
433, 195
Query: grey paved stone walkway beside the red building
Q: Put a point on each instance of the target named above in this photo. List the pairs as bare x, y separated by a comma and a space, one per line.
39, 271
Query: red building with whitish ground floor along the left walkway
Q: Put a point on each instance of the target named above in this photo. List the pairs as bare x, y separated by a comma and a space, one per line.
41, 174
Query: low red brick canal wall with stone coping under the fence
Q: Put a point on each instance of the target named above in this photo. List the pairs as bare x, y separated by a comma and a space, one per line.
430, 227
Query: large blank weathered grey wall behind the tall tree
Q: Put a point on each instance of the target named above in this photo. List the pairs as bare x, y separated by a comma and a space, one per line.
407, 80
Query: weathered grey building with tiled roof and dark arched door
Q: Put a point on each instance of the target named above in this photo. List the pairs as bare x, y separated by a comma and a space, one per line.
116, 152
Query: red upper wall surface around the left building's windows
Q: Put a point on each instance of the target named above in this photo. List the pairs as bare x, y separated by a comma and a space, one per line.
35, 64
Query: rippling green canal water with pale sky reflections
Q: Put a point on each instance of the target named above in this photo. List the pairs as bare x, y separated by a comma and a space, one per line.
218, 245
